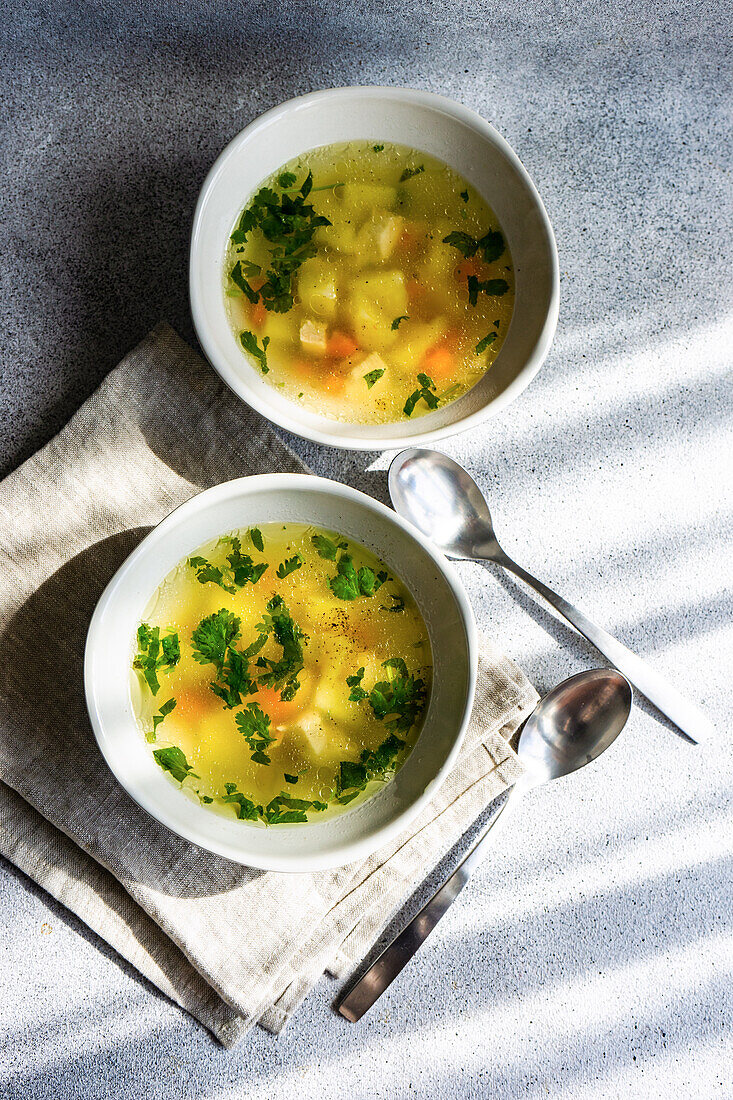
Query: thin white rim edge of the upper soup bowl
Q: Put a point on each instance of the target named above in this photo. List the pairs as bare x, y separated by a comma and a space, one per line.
332, 437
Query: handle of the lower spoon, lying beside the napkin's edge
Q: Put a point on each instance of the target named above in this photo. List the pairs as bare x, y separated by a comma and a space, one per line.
399, 953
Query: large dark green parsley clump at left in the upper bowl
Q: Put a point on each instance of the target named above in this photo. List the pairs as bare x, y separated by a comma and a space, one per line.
288, 224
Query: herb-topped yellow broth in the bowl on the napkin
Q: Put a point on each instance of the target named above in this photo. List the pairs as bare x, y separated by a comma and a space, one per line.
322, 750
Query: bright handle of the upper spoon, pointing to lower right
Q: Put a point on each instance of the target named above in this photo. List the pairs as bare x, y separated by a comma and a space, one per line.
684, 714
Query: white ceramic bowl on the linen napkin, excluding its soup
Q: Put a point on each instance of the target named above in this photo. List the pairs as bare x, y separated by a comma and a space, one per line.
245, 503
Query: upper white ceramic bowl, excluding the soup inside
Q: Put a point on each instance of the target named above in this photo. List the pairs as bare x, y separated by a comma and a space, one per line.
432, 125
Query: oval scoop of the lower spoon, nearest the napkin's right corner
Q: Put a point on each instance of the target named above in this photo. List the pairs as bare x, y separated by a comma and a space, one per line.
574, 724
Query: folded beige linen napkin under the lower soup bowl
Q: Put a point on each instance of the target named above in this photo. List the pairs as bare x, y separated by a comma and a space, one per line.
229, 944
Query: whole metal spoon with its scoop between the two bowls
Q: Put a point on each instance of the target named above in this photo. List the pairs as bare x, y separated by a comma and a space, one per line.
444, 502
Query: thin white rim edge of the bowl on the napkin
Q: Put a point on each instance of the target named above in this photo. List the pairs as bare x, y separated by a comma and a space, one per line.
336, 856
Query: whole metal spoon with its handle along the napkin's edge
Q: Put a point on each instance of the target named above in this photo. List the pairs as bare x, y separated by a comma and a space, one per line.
570, 728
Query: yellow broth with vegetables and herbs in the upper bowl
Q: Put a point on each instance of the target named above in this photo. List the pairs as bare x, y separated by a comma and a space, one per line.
398, 307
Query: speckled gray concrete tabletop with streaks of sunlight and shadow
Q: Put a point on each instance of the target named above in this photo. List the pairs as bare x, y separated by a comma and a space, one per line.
610, 477
